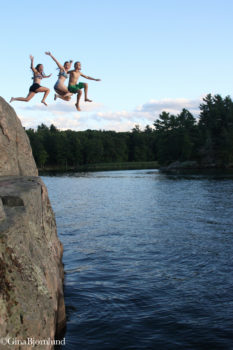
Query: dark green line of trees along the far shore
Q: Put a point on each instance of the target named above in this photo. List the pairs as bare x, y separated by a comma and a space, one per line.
207, 139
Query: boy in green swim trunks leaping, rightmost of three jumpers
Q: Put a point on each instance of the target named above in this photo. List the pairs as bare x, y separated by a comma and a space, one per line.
75, 88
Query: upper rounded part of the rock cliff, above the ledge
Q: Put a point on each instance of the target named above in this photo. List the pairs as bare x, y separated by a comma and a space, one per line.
15, 150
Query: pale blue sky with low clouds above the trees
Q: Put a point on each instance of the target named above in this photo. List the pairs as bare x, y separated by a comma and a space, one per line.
150, 55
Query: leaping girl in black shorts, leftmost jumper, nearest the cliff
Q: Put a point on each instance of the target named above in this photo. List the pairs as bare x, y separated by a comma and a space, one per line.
36, 87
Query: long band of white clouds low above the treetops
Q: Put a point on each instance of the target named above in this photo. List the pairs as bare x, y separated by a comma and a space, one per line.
95, 116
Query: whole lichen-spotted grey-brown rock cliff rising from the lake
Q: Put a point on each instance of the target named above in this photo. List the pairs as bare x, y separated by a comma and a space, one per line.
31, 270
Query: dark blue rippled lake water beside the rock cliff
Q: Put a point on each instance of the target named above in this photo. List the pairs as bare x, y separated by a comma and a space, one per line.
148, 259
